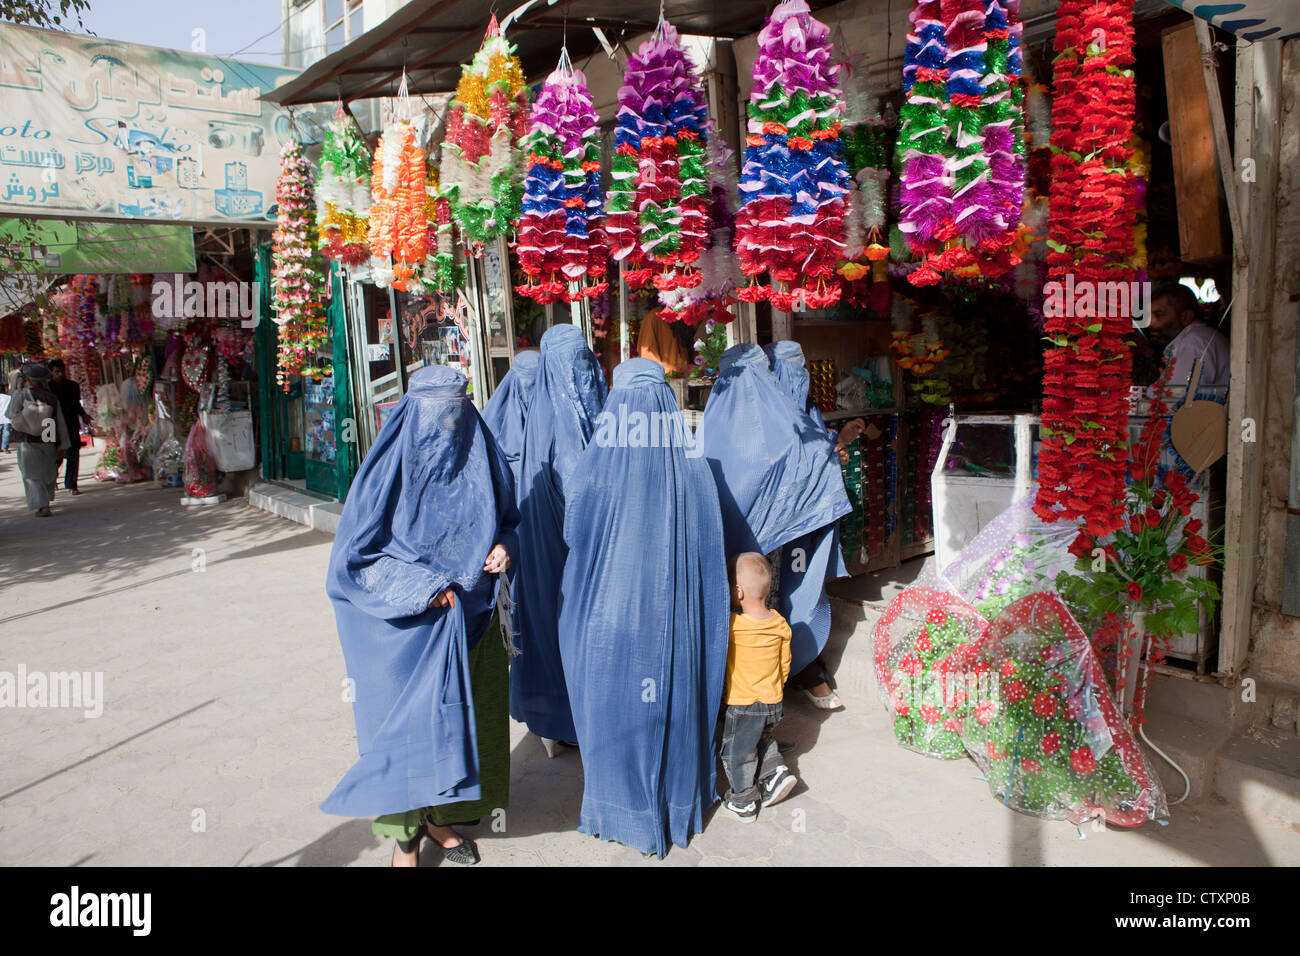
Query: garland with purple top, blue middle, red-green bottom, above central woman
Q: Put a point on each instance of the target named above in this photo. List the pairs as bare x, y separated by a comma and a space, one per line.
657, 214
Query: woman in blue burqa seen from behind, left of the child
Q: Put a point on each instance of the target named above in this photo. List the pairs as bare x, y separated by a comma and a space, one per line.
644, 621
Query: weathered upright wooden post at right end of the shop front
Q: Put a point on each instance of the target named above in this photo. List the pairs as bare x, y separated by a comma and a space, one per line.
1259, 75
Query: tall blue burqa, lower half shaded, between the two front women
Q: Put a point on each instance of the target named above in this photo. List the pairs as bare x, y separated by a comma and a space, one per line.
561, 421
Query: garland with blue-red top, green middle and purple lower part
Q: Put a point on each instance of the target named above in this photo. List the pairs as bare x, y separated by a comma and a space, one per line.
963, 144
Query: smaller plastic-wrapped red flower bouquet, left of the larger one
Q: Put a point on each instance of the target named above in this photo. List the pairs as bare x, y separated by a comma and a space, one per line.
924, 648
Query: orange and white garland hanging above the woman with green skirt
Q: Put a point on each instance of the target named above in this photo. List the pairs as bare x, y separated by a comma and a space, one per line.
398, 228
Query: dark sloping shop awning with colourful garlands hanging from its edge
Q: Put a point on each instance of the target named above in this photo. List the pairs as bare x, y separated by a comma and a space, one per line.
432, 38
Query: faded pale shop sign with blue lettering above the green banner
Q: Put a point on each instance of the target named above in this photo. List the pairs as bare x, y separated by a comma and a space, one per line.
96, 128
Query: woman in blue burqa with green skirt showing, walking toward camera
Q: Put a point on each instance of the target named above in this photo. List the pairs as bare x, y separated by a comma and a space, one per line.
428, 527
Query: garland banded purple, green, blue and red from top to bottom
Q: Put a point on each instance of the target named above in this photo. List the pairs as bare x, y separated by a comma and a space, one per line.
795, 183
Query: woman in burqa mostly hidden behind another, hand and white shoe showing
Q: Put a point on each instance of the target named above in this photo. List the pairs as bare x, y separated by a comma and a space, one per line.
811, 561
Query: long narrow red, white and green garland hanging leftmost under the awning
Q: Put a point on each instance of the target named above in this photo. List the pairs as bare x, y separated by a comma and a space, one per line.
298, 280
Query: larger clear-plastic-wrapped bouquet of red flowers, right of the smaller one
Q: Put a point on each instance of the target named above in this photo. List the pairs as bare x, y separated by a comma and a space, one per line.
1045, 728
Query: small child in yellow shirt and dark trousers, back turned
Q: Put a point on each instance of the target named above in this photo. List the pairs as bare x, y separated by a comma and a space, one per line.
759, 664
